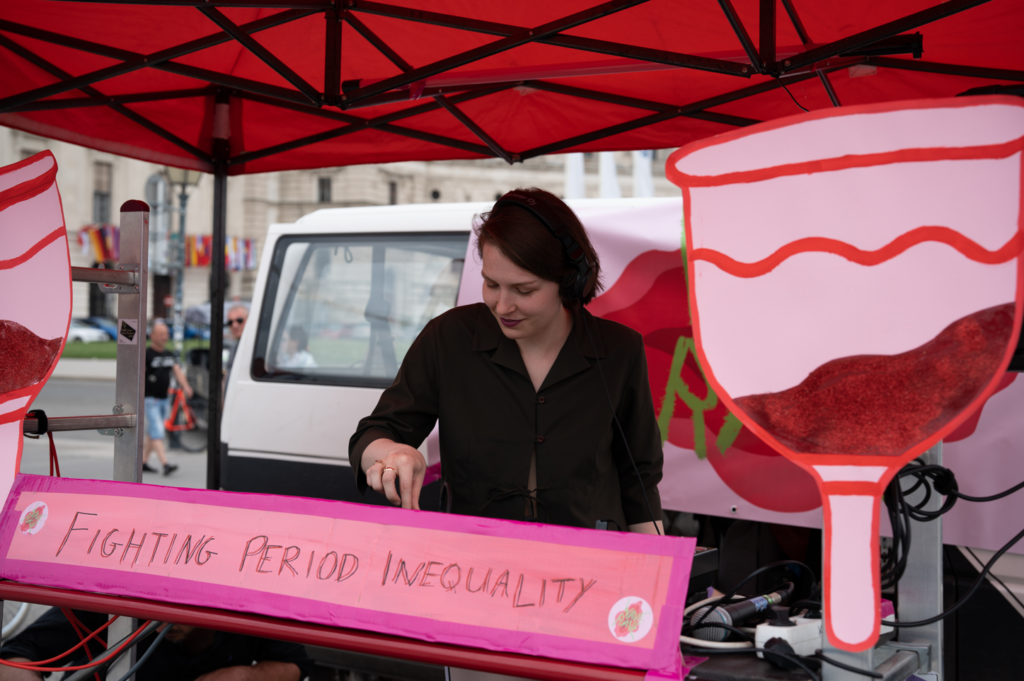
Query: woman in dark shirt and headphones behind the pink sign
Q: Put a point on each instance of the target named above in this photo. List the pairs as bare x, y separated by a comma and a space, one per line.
527, 431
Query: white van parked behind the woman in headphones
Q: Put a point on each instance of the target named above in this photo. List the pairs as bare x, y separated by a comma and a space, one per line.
340, 296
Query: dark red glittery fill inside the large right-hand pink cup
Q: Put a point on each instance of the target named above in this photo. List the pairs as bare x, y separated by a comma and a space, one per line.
837, 408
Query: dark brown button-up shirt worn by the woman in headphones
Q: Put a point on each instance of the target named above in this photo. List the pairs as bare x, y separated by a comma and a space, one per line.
465, 372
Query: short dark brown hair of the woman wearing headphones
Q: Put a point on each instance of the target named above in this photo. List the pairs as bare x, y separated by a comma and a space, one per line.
523, 239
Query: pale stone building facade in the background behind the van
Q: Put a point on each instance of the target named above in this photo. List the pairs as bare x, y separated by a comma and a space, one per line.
95, 185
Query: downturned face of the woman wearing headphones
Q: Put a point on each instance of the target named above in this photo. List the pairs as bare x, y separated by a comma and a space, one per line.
524, 304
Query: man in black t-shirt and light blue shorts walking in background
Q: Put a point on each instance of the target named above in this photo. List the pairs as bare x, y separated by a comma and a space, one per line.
160, 365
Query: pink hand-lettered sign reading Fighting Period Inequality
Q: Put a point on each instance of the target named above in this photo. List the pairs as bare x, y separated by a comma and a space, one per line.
601, 598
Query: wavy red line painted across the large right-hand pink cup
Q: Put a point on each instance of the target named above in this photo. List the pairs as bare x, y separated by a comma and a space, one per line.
903, 243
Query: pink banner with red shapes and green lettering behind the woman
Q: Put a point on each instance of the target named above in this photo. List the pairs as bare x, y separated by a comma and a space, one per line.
713, 464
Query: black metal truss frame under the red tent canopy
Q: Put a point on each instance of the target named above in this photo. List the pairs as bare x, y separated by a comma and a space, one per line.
874, 47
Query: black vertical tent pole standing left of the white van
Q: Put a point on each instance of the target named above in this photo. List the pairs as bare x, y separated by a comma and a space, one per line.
222, 134
